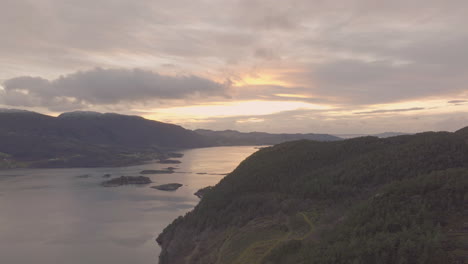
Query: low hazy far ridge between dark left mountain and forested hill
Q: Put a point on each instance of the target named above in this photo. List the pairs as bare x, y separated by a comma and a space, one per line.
236, 138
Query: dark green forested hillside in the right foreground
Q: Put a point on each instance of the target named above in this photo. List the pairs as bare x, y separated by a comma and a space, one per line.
365, 200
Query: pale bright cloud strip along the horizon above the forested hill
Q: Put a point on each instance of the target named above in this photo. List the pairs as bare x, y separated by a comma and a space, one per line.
316, 121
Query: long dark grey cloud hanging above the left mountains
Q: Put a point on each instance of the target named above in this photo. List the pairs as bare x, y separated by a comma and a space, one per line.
104, 87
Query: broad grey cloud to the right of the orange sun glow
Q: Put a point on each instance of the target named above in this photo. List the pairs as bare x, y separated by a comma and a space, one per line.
359, 82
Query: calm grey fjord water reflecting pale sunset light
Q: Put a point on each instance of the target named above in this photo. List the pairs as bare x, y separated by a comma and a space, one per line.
65, 216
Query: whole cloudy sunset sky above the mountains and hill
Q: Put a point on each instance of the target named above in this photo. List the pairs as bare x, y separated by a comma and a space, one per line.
296, 66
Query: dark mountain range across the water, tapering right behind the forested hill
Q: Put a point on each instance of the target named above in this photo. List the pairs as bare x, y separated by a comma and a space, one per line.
91, 139
